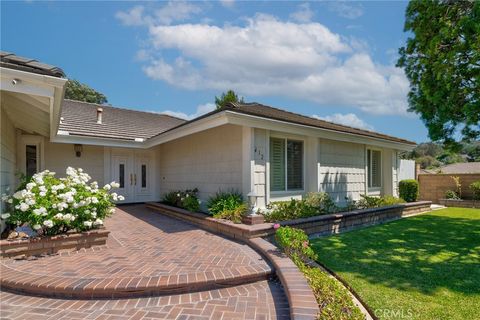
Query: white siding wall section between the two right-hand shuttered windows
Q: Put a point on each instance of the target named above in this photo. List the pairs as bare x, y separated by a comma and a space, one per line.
342, 169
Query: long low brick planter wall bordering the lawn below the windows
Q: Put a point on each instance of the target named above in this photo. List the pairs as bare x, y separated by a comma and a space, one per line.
336, 223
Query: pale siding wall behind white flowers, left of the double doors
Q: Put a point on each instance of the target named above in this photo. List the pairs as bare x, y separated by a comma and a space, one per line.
59, 156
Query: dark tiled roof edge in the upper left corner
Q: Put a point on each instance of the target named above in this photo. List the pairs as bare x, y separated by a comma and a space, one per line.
12, 61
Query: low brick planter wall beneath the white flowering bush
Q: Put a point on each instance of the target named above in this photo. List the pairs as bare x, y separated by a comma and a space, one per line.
53, 244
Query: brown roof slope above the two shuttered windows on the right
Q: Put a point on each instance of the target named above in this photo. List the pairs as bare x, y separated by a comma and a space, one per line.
260, 110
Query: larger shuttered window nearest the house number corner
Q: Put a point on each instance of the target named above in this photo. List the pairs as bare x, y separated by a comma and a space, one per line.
286, 164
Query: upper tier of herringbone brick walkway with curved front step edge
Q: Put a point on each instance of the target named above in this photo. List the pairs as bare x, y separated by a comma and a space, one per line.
146, 254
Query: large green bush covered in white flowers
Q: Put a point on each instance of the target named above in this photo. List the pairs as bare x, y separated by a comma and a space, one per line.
51, 206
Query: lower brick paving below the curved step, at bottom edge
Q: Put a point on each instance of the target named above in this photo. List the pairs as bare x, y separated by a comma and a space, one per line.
260, 300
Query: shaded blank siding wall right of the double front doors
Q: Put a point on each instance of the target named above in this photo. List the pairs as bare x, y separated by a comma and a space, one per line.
210, 161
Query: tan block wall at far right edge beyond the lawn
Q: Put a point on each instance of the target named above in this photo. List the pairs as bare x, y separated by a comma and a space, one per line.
434, 186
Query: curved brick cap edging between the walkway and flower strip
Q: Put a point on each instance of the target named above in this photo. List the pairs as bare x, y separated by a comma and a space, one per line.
301, 300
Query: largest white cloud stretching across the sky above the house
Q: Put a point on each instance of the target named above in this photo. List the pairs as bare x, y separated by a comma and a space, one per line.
266, 56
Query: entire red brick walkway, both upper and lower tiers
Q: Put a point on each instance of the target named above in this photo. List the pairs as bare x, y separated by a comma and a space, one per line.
149, 259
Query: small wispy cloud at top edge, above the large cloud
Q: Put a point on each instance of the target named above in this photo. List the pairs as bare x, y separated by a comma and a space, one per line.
169, 13
